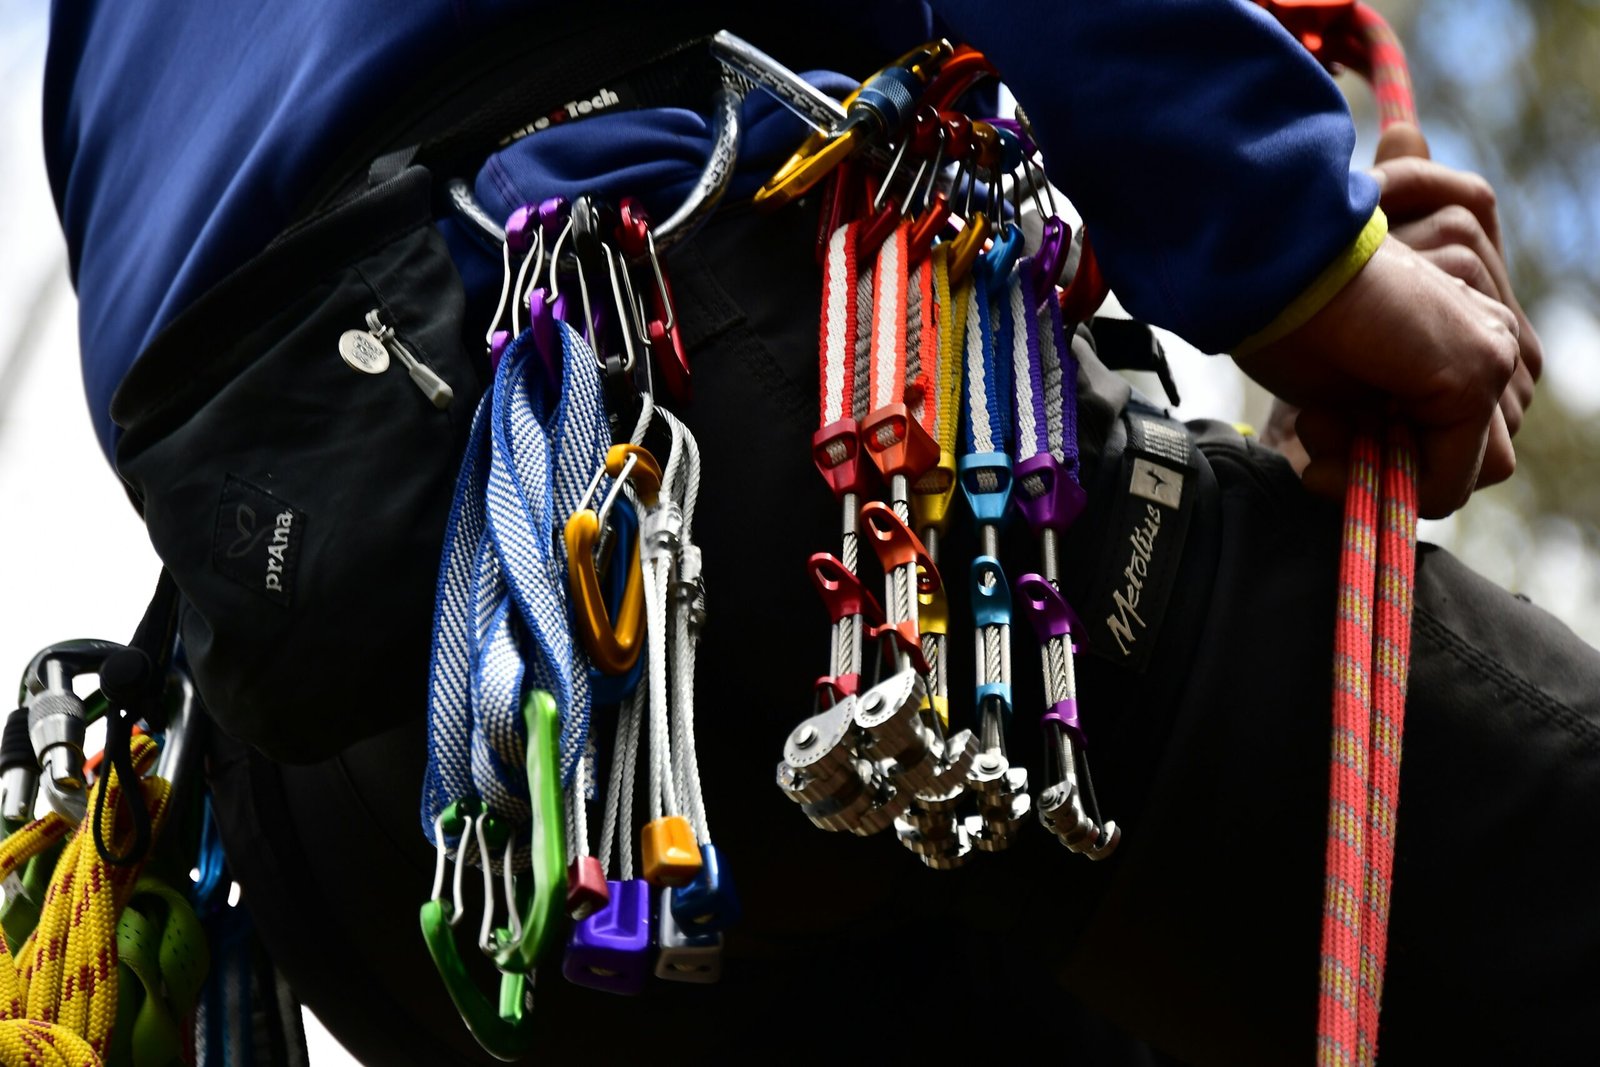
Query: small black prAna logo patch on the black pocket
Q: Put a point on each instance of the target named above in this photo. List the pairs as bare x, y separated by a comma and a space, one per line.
258, 540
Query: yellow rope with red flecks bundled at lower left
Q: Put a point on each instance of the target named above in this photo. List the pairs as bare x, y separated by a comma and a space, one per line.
58, 996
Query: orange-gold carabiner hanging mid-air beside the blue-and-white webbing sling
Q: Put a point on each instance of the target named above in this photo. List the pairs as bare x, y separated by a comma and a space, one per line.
612, 644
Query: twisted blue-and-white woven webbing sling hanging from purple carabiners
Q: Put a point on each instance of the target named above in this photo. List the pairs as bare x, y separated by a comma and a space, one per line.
502, 621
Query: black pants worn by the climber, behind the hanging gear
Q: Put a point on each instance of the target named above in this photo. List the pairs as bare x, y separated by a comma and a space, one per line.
1201, 935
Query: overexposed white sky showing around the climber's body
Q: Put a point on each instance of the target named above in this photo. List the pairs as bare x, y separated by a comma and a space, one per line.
76, 557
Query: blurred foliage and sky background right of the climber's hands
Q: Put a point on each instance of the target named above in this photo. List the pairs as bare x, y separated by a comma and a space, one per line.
1511, 89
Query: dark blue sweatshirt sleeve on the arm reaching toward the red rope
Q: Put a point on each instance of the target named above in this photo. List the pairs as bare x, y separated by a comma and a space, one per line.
1209, 154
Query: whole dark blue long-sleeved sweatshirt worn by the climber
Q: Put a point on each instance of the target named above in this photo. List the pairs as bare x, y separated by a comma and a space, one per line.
1206, 151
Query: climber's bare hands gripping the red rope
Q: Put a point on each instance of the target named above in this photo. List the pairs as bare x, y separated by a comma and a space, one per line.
1425, 329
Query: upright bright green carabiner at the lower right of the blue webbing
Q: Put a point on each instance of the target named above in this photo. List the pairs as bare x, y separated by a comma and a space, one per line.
542, 919
